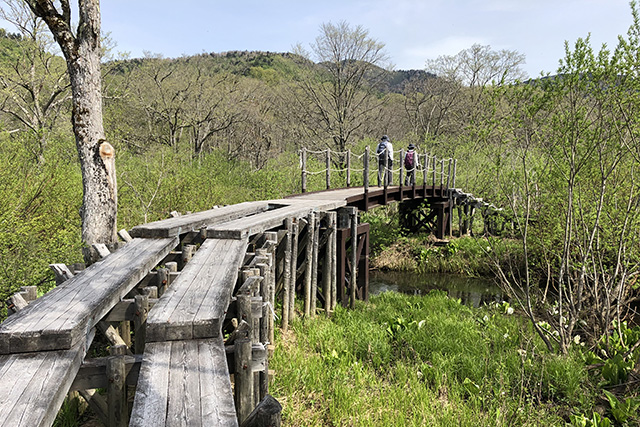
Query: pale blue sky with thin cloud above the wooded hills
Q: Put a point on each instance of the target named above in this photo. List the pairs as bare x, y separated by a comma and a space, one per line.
412, 30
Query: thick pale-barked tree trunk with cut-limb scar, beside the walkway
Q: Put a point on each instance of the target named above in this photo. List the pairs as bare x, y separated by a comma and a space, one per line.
82, 51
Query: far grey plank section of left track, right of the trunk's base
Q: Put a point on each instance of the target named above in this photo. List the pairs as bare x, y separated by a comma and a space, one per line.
196, 221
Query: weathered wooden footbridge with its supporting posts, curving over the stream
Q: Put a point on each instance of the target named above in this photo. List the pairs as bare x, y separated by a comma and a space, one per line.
187, 306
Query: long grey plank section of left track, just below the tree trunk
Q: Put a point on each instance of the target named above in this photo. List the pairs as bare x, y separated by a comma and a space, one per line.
63, 317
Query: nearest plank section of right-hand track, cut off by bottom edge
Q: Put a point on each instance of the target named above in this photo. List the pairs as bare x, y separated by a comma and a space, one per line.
184, 383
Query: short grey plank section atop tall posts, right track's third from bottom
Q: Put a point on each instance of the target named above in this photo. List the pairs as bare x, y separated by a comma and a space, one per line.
259, 223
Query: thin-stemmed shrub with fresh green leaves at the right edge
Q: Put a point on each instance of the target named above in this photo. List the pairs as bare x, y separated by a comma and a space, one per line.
569, 176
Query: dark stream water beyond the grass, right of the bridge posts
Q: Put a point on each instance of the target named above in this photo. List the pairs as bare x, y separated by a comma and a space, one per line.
471, 291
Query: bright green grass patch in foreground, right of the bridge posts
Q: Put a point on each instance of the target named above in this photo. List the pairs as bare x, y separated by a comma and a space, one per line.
417, 361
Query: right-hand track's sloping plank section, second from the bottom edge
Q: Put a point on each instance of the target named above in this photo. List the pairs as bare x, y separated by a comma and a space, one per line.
194, 305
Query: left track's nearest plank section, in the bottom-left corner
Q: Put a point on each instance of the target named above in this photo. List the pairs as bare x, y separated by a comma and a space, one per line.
34, 385
